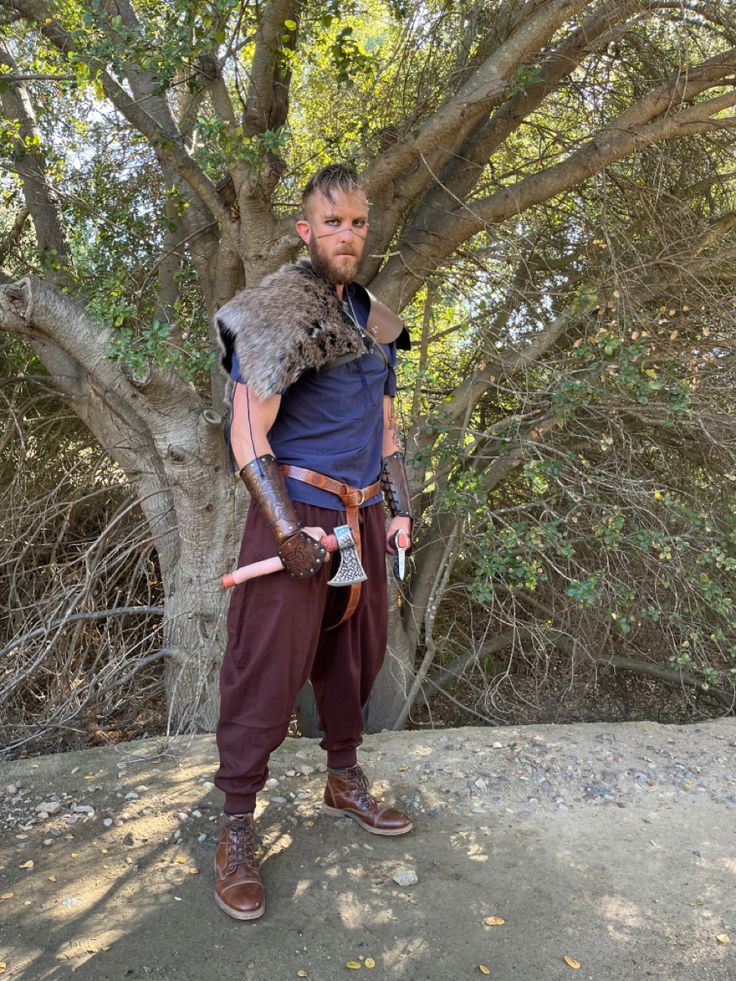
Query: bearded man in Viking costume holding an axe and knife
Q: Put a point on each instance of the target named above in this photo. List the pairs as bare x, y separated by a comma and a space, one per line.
314, 435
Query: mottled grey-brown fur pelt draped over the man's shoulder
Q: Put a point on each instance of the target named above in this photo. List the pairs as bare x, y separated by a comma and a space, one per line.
290, 323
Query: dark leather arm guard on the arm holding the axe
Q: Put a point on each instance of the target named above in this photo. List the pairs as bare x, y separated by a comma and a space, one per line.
301, 554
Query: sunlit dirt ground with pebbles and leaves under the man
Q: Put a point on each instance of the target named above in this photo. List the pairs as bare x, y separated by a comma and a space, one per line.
612, 845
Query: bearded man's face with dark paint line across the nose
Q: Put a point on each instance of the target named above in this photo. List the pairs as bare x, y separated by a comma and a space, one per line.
335, 232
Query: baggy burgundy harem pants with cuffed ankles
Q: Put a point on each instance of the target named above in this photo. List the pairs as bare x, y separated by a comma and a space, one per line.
277, 639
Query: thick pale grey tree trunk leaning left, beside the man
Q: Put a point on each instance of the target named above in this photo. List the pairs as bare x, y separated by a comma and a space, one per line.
173, 452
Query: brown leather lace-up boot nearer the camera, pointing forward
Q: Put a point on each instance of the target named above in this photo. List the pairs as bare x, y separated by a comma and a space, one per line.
238, 887
